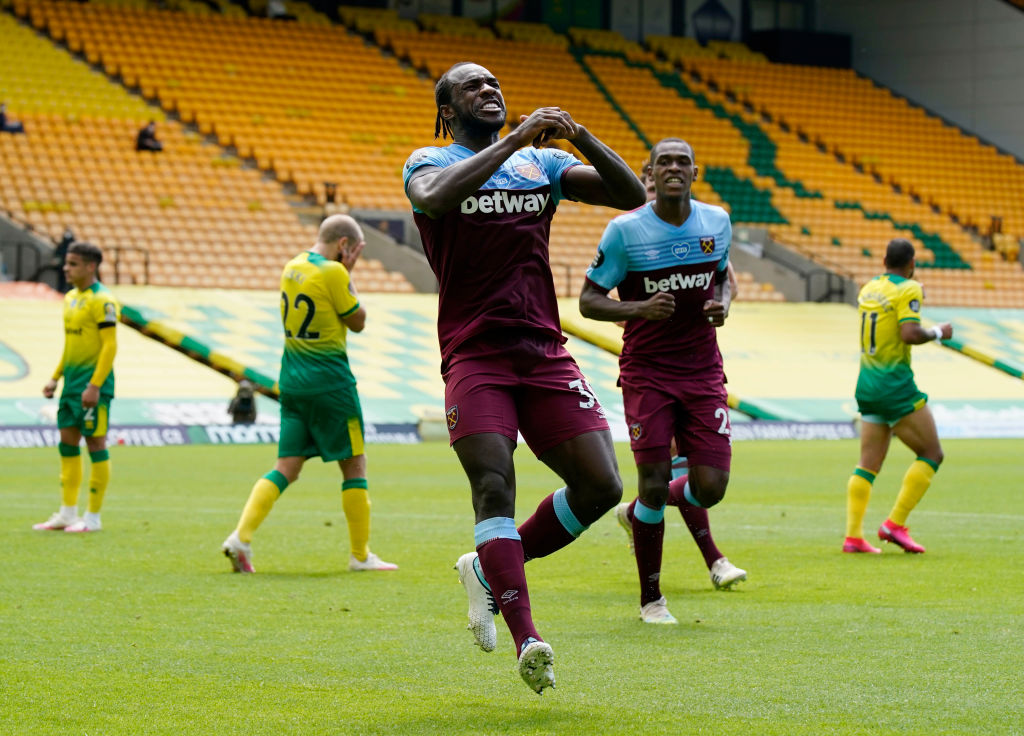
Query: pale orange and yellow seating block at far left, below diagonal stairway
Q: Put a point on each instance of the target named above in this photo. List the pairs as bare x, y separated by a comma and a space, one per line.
195, 213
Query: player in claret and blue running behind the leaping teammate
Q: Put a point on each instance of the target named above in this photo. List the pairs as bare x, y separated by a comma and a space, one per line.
670, 264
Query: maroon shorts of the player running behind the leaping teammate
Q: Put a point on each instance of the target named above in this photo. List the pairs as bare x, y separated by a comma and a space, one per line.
695, 413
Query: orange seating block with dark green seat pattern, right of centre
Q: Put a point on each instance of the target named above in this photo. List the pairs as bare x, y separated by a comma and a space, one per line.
809, 205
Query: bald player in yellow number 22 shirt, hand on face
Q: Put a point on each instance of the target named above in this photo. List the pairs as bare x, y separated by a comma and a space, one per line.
321, 415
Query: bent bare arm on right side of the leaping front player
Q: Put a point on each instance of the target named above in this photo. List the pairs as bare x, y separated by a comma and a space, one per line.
611, 182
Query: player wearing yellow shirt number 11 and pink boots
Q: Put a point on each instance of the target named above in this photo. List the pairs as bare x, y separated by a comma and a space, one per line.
889, 401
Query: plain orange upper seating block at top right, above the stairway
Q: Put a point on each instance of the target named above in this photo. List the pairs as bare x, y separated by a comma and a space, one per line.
865, 122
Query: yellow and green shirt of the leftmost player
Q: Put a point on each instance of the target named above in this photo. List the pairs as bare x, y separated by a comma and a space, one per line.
87, 313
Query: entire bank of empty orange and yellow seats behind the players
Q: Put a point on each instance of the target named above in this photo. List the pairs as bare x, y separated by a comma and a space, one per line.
311, 104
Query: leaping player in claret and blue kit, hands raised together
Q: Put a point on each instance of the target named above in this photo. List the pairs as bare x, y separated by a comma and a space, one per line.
484, 206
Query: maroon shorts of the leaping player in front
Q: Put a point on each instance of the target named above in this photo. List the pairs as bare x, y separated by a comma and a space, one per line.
520, 382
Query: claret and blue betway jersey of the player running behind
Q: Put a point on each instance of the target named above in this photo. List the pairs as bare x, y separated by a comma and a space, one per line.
642, 254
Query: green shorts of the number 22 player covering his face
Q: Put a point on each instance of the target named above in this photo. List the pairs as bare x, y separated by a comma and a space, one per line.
329, 425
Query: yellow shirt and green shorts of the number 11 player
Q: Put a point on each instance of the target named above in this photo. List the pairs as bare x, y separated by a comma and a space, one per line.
886, 380
